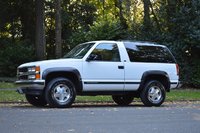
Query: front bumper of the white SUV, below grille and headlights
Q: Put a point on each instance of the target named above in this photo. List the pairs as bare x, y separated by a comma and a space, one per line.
33, 87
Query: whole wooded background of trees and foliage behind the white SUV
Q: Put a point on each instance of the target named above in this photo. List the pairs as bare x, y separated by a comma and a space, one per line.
33, 30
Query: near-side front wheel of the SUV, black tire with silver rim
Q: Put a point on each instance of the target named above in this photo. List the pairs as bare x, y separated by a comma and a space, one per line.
60, 93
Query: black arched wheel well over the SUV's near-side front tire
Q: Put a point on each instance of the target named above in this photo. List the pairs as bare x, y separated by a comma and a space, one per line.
69, 75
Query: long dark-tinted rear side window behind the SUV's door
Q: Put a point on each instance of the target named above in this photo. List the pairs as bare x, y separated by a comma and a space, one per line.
144, 53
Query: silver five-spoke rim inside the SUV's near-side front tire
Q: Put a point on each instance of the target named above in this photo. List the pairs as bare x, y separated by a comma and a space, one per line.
61, 93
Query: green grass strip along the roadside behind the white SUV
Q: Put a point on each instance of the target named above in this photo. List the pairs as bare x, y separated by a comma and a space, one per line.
174, 95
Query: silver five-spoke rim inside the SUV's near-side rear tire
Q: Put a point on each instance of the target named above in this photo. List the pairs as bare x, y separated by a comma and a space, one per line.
154, 94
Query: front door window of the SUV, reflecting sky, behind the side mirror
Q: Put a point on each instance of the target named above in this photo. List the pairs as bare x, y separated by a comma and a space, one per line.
106, 52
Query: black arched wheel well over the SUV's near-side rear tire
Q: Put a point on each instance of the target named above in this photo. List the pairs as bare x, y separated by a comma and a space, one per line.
161, 78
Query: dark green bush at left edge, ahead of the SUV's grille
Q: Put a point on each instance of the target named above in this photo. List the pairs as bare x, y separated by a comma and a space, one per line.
12, 55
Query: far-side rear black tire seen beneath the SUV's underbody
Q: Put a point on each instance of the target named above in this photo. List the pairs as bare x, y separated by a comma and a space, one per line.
122, 100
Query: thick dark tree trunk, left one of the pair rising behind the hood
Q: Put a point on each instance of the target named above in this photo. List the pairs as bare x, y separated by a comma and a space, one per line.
40, 40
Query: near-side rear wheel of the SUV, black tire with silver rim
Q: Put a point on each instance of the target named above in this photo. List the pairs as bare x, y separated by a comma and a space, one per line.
153, 93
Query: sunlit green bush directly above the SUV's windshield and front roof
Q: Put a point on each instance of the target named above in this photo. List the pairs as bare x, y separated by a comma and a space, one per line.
101, 30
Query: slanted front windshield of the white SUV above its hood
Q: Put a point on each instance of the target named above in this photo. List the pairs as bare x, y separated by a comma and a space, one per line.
79, 51
